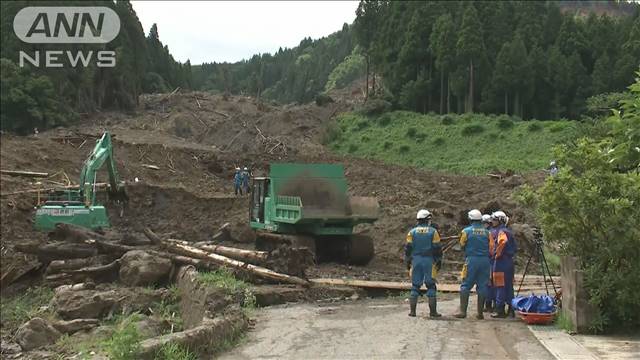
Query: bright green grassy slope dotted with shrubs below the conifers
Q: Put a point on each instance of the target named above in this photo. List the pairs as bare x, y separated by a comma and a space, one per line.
471, 144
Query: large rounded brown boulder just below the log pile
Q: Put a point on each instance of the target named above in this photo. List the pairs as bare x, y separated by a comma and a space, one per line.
141, 268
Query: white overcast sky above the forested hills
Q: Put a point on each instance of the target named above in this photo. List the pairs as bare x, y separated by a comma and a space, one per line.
207, 31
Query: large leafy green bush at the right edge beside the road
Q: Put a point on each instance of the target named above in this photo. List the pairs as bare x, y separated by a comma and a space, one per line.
592, 210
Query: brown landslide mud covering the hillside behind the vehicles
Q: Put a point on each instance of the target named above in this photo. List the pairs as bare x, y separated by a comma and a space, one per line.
195, 140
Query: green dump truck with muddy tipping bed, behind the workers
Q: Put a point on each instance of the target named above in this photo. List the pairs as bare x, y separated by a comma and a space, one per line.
307, 205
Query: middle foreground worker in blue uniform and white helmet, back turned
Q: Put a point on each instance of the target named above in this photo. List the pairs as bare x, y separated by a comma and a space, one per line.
474, 240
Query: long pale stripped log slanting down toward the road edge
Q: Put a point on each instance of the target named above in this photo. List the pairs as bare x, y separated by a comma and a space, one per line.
223, 260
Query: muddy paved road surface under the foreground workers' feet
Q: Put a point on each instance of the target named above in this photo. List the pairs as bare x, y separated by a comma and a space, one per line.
381, 329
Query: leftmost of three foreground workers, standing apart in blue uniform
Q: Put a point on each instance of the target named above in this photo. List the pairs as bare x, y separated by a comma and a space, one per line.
421, 247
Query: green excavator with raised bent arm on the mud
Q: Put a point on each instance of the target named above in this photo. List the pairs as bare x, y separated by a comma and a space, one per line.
79, 207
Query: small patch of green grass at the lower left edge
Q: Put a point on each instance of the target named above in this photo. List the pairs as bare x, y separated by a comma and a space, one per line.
19, 309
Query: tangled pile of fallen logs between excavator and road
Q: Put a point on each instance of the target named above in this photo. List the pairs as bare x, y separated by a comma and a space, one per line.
77, 254
